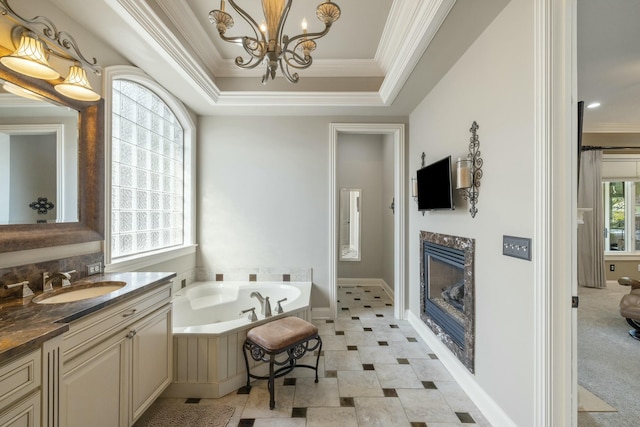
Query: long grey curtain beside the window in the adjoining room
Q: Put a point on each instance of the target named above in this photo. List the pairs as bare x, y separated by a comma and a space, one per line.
591, 234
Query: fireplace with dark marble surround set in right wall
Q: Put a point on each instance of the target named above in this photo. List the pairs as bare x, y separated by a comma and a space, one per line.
447, 292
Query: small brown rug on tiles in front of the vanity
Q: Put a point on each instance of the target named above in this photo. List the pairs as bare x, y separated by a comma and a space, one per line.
172, 413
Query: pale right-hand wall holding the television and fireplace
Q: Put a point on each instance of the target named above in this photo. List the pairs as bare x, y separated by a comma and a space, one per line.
493, 84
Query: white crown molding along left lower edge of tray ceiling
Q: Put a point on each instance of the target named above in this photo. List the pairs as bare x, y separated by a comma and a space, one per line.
156, 32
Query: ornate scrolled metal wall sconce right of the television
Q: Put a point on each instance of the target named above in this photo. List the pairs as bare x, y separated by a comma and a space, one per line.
469, 171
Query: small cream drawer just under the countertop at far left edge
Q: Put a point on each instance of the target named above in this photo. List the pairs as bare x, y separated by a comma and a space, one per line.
20, 377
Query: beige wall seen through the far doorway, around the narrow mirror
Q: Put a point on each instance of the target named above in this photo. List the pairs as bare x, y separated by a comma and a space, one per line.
359, 165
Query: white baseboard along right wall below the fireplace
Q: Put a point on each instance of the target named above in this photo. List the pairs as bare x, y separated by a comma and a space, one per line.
489, 408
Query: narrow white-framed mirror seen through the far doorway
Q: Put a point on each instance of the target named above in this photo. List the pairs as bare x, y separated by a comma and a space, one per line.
350, 220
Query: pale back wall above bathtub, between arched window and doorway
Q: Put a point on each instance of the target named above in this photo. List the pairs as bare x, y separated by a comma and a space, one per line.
263, 192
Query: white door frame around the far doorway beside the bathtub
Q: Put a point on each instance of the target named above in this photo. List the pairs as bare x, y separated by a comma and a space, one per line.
397, 131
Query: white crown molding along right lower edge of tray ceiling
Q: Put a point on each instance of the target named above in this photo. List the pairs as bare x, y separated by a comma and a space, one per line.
422, 27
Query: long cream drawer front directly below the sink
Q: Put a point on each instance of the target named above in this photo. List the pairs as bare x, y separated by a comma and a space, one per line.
90, 330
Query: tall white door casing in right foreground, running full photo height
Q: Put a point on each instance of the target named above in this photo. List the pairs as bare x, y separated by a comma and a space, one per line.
555, 158
